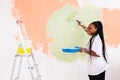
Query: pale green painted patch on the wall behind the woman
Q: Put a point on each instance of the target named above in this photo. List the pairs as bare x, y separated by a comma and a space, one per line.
65, 32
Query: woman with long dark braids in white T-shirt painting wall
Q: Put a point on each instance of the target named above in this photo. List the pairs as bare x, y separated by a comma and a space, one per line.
97, 62
